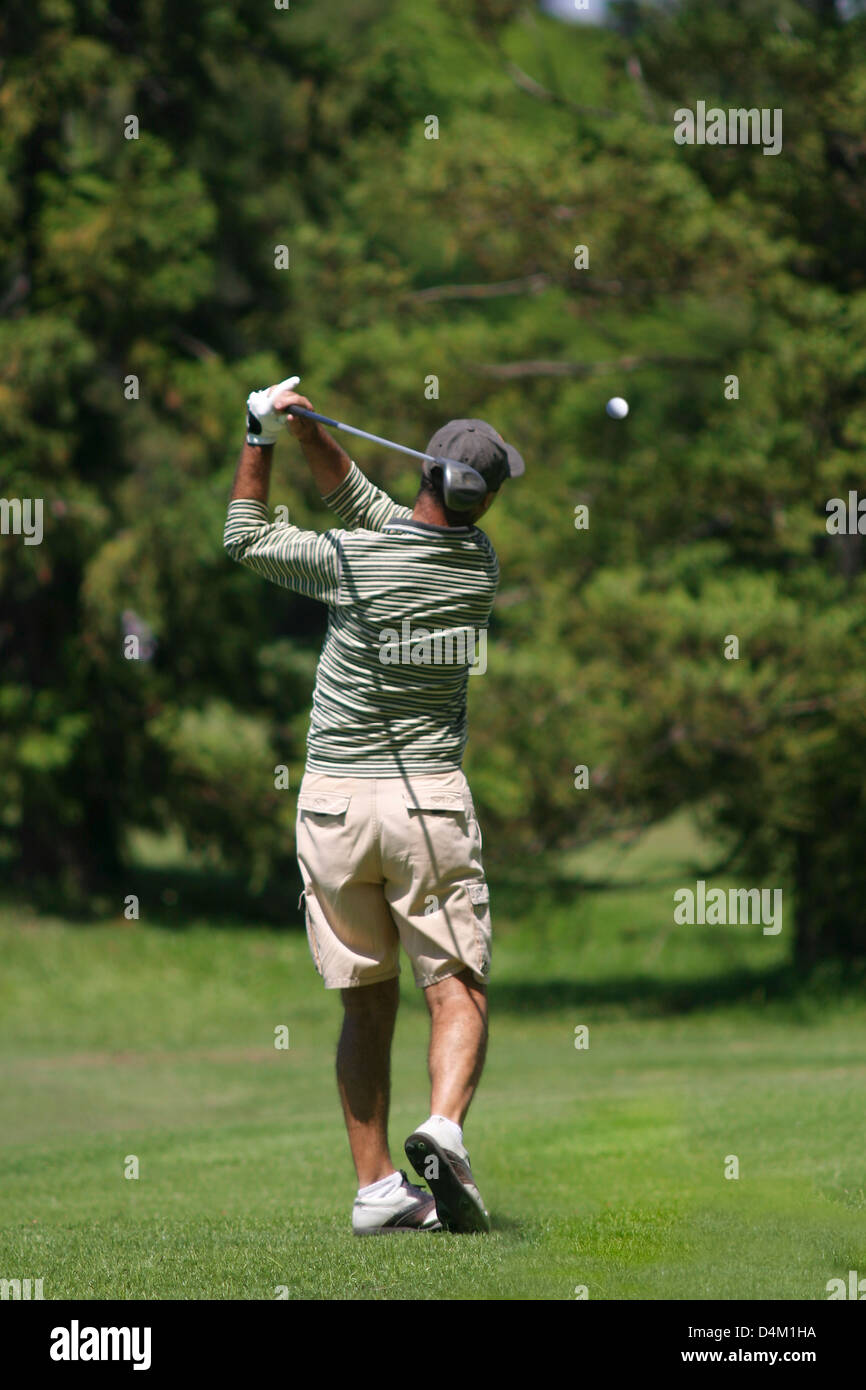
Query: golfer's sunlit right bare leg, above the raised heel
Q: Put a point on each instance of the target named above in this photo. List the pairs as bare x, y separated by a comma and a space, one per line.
458, 1043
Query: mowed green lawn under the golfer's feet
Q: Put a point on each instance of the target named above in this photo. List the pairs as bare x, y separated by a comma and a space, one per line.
604, 1168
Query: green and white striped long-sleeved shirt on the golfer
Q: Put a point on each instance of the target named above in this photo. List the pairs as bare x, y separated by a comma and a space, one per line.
409, 605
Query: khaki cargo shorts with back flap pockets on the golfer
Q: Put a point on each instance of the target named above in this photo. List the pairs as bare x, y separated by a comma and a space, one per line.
390, 861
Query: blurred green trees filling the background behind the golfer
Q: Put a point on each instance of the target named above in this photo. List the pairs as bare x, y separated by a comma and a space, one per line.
450, 258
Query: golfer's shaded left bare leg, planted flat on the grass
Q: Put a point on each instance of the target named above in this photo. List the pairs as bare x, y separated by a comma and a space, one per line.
363, 1075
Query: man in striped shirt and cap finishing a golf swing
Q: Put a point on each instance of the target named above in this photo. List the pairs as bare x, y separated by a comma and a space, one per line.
389, 842
